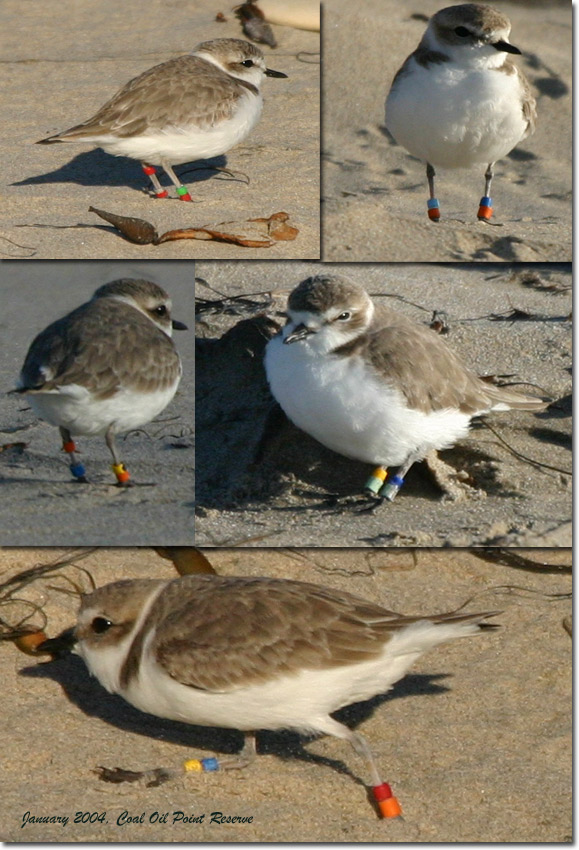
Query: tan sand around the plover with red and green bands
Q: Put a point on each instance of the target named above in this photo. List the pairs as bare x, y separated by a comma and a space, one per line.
63, 60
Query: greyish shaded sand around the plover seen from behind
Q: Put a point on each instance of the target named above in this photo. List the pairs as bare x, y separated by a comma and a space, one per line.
41, 503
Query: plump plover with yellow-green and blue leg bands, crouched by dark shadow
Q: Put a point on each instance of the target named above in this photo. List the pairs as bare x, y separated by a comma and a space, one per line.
372, 385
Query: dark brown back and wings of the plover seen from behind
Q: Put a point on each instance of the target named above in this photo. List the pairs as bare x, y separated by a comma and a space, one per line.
83, 348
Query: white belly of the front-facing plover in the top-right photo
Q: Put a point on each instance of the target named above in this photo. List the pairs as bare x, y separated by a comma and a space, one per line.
454, 119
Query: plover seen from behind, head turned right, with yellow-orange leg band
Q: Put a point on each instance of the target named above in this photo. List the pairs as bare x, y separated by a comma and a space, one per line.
109, 366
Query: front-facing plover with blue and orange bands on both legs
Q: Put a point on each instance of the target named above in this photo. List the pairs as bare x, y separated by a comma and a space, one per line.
459, 99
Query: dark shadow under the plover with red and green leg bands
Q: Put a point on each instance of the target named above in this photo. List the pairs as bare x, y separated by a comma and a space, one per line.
97, 168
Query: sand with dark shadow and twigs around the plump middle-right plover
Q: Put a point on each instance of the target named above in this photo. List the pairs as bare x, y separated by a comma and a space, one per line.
288, 498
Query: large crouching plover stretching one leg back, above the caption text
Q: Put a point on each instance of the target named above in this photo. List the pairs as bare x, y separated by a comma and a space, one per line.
252, 653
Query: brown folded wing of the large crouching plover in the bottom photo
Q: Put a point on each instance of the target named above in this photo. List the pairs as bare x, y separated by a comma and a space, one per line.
242, 630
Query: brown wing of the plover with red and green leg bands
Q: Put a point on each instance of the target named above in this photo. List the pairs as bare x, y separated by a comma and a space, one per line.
180, 90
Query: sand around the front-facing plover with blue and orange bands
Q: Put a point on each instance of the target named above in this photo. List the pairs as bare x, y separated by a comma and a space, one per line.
375, 193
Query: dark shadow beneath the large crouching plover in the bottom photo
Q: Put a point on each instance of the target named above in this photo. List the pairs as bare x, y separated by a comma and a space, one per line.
89, 696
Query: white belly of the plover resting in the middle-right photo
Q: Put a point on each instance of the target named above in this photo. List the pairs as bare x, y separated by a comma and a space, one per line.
339, 402
